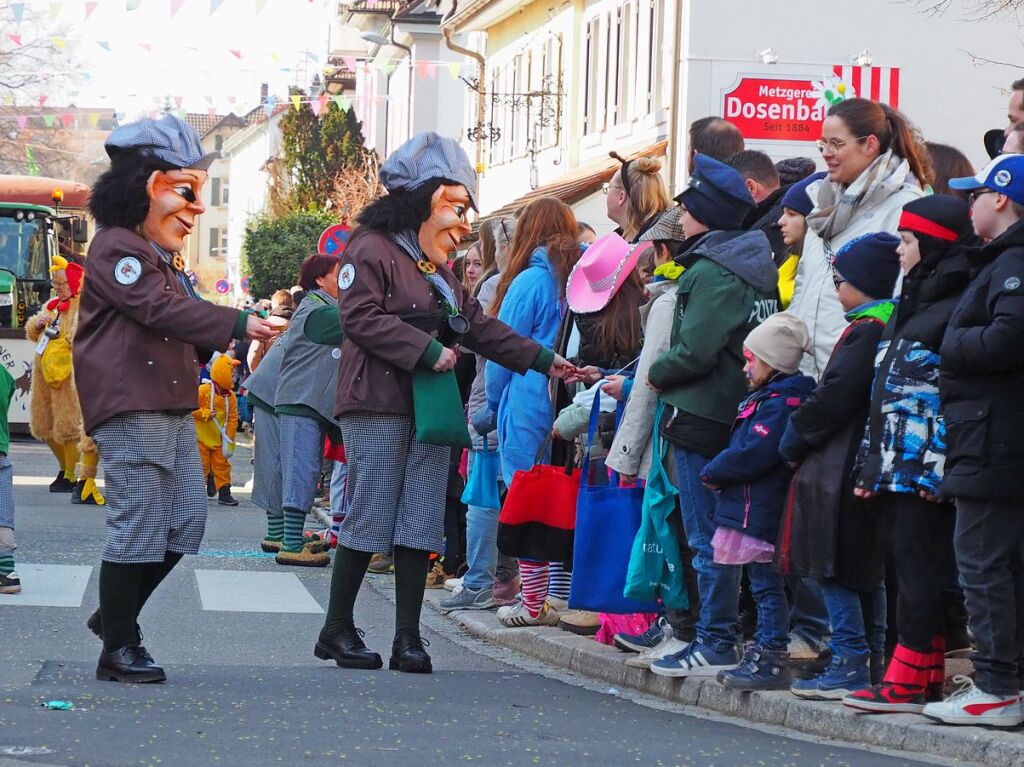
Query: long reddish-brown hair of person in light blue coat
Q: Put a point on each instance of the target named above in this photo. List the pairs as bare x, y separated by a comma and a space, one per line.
545, 223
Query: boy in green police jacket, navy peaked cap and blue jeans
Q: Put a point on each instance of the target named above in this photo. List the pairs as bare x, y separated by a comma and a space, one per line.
729, 288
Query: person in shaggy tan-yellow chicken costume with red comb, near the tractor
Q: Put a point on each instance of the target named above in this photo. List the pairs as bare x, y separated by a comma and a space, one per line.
56, 416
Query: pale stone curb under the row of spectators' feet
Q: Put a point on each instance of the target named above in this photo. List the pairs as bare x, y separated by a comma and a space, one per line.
828, 720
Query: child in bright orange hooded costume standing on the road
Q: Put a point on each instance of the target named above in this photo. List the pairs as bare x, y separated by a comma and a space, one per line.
217, 424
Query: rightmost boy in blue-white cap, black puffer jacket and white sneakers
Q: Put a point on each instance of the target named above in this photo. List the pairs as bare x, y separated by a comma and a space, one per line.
982, 380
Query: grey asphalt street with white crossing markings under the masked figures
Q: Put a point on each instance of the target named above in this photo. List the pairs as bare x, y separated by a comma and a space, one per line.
245, 690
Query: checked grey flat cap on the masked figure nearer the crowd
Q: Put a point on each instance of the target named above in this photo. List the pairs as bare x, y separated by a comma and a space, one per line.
429, 156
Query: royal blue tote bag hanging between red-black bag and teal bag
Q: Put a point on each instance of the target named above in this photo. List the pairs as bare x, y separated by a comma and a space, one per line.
608, 521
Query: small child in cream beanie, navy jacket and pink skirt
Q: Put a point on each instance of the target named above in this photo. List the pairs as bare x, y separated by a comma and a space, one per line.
752, 481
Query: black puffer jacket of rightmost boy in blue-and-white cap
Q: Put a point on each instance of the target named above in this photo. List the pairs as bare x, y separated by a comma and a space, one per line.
983, 376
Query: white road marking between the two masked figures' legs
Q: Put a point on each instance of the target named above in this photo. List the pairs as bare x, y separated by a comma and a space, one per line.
246, 591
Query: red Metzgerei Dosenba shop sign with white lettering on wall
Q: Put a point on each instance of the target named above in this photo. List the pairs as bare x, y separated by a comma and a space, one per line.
775, 110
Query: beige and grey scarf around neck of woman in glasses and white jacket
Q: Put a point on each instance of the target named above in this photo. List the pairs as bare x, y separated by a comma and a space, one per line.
838, 205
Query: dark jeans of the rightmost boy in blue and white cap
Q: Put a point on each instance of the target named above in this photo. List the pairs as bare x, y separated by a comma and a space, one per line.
989, 543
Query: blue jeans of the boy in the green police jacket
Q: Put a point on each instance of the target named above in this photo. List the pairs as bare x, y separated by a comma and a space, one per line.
718, 584
